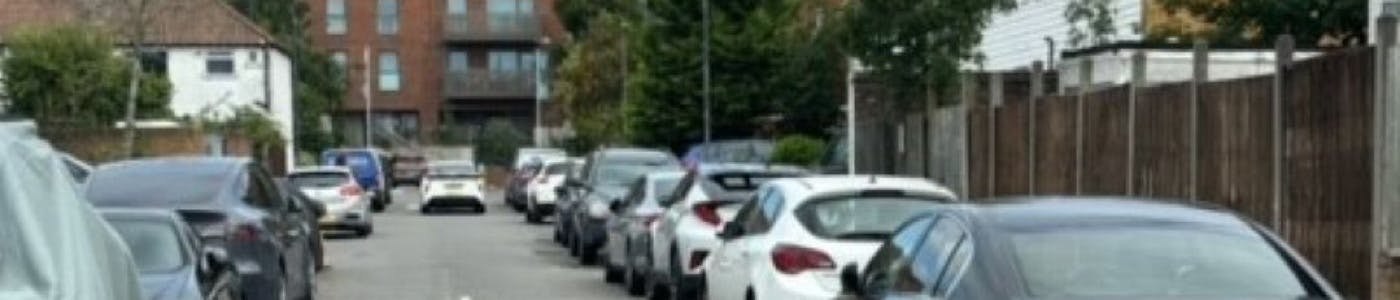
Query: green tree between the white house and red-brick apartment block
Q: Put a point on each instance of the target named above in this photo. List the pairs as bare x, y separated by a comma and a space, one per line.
320, 82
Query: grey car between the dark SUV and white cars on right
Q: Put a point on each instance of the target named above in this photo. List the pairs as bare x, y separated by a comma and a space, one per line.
629, 229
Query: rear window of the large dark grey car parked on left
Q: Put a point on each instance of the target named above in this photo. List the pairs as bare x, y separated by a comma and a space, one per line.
157, 186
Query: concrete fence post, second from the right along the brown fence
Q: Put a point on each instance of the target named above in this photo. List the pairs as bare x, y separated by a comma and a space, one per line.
1283, 58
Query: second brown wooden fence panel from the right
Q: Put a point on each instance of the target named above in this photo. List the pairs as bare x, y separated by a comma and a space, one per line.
1237, 146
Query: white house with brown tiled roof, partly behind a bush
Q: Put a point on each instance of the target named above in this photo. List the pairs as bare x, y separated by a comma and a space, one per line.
215, 58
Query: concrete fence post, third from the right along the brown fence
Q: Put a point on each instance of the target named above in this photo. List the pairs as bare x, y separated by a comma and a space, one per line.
1200, 75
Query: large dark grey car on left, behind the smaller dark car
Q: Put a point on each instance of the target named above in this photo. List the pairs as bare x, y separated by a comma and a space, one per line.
232, 204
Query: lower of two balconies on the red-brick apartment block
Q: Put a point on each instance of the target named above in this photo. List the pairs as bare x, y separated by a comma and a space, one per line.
482, 83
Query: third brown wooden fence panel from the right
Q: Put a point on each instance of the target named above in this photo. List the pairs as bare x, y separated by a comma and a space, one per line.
1163, 162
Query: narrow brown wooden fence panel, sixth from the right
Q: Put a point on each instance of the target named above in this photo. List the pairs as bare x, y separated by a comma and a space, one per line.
1013, 141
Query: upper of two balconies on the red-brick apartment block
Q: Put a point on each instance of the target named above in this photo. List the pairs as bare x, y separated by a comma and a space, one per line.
485, 30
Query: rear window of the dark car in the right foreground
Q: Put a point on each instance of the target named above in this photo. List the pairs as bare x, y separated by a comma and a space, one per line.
1151, 261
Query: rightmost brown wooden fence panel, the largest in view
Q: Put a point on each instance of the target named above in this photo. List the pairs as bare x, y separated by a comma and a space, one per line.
1328, 186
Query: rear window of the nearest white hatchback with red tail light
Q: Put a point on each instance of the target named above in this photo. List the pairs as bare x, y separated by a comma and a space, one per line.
862, 218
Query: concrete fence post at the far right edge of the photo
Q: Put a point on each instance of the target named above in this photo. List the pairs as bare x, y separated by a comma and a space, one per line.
1387, 134
